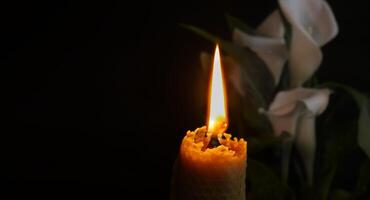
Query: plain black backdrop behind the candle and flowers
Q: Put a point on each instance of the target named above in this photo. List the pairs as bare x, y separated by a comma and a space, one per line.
105, 91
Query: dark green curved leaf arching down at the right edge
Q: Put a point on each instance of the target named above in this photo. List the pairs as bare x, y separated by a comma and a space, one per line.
363, 137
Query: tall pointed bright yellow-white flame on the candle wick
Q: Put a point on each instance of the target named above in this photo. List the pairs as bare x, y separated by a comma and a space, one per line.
217, 114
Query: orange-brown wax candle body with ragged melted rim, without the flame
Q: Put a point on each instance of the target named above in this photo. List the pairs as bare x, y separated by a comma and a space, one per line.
209, 173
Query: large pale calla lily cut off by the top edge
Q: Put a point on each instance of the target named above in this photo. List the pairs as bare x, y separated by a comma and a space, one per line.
313, 25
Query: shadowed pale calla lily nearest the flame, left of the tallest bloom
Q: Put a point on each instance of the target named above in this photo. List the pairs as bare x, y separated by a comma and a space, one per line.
271, 50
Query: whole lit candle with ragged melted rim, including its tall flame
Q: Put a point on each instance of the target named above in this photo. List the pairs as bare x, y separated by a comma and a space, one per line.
211, 165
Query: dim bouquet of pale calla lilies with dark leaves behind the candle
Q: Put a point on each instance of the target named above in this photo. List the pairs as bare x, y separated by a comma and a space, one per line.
307, 138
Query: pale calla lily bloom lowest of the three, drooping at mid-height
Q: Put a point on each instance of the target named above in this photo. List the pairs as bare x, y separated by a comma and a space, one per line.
294, 112
